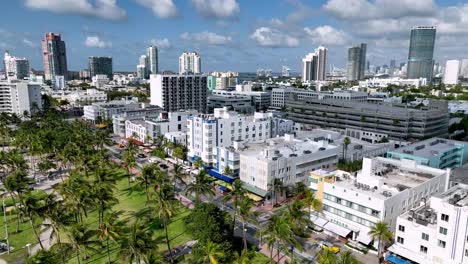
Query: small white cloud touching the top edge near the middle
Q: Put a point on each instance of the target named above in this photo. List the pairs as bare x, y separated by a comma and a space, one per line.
217, 8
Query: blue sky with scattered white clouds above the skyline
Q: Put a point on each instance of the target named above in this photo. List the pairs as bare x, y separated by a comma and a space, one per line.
239, 35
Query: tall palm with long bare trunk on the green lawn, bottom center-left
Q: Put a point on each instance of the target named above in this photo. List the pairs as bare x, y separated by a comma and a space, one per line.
164, 209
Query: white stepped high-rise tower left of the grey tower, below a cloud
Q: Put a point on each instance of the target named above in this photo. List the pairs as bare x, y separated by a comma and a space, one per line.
314, 65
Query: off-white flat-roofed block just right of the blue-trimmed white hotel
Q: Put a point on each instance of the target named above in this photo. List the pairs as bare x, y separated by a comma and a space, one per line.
286, 158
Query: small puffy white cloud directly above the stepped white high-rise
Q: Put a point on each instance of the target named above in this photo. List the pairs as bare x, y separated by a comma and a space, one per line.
327, 35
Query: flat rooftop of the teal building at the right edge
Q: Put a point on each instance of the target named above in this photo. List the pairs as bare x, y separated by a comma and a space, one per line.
429, 148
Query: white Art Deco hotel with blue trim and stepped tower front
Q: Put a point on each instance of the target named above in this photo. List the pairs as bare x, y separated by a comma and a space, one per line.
207, 132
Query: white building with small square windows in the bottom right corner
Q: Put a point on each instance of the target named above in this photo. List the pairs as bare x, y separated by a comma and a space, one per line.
436, 231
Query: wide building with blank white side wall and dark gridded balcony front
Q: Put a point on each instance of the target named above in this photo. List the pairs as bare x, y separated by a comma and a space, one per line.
178, 92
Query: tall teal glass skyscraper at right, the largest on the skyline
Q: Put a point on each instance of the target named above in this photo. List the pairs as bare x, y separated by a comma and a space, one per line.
421, 53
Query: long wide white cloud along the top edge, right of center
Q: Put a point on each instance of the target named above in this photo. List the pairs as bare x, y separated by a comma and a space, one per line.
365, 9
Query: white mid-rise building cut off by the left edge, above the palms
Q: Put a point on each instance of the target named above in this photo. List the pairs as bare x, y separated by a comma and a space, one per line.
20, 97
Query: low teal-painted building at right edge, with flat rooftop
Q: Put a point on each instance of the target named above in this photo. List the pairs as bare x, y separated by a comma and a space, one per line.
435, 152
